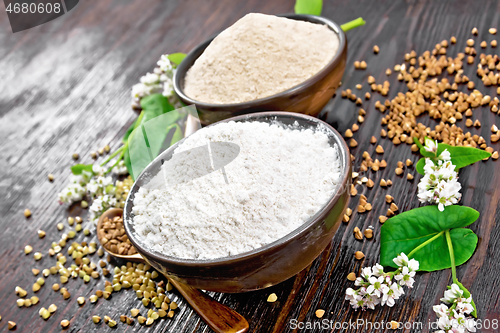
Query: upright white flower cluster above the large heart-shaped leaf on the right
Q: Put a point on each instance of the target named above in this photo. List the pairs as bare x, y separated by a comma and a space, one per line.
440, 183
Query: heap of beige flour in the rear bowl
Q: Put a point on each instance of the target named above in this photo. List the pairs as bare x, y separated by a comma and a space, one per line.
259, 56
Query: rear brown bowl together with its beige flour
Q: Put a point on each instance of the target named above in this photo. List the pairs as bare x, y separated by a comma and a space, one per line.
264, 62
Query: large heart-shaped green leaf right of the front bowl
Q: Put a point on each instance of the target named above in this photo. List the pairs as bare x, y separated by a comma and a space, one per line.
408, 230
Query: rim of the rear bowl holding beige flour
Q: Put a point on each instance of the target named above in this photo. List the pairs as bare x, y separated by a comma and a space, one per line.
182, 69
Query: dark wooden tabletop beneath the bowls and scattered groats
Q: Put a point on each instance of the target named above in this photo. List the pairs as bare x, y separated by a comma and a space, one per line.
66, 88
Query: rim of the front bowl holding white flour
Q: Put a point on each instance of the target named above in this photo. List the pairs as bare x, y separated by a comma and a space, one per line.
270, 247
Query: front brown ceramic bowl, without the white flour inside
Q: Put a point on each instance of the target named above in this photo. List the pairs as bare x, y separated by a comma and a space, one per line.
270, 264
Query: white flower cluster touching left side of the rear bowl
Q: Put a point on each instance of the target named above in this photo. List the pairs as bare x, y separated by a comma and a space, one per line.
158, 82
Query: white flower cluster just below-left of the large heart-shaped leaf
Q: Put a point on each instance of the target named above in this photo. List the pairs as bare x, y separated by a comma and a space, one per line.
379, 287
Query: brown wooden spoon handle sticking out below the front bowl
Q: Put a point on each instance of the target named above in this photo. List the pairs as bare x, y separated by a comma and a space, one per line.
219, 317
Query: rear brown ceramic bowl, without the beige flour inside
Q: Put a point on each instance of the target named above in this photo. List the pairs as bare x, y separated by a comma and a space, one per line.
309, 97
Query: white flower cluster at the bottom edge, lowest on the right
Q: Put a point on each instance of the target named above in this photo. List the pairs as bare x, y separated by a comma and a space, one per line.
454, 318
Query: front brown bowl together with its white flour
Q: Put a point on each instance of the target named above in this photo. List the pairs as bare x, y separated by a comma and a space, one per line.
243, 204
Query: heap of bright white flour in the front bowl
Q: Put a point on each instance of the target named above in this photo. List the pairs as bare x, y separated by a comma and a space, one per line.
278, 180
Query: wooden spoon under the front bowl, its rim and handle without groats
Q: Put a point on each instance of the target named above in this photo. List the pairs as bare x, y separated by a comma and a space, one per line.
219, 317
